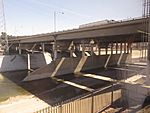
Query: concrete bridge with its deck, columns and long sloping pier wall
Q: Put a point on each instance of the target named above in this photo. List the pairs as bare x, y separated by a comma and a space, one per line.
80, 49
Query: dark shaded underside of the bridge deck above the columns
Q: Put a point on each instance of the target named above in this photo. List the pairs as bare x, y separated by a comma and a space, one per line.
66, 46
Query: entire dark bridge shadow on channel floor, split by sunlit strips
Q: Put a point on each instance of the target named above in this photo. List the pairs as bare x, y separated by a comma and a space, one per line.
53, 92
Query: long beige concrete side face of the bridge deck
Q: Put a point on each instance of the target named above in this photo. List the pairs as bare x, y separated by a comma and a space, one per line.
123, 28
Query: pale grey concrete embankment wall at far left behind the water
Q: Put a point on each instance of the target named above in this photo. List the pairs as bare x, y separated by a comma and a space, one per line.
24, 61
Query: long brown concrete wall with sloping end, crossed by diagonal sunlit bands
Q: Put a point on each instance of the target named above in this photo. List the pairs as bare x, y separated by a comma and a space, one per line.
74, 65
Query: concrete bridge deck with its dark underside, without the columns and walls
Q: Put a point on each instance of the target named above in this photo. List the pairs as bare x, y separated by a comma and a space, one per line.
126, 31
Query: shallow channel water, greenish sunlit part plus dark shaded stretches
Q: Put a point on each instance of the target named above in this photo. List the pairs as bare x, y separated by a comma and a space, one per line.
11, 85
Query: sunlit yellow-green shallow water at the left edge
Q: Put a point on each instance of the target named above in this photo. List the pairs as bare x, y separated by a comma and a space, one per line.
9, 89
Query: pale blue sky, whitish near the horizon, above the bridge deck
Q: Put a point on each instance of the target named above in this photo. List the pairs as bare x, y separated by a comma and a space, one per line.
25, 17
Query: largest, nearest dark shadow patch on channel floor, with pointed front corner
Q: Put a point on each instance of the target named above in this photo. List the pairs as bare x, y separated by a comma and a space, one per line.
47, 90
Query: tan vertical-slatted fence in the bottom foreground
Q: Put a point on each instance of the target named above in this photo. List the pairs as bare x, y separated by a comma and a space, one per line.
91, 103
